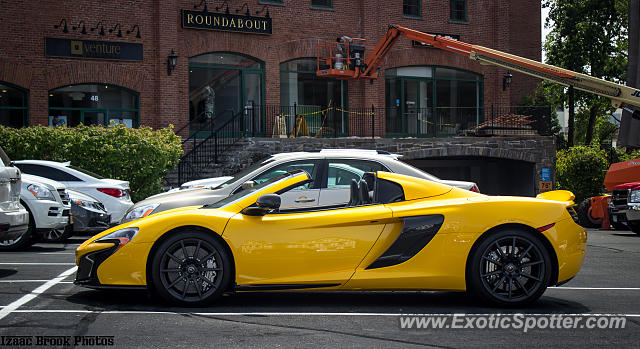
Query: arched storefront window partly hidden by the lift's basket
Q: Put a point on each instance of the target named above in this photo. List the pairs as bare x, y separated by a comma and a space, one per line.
300, 86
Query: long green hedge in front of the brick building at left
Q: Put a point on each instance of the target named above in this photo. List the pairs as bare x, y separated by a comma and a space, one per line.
141, 156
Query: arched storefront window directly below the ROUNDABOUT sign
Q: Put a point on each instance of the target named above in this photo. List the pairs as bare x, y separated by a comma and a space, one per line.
222, 85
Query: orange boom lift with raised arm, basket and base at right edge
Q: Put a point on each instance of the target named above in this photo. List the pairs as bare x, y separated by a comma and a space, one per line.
345, 59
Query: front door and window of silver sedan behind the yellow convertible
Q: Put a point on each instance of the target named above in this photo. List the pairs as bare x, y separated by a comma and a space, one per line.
303, 196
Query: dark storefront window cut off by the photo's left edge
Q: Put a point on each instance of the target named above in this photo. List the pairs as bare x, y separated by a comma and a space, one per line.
13, 106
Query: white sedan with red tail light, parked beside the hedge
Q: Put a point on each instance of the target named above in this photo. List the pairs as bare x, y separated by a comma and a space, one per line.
113, 193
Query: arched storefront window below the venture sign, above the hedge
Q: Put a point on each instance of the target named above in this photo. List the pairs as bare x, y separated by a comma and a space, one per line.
93, 104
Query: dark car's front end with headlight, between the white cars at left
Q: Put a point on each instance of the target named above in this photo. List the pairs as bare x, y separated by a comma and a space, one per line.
89, 216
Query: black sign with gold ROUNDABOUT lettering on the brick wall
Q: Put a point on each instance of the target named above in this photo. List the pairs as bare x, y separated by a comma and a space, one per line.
226, 22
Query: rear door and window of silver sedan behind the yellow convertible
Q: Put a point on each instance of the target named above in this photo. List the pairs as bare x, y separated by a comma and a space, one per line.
340, 172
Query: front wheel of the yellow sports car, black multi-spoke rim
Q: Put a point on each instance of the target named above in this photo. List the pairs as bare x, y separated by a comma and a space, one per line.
179, 274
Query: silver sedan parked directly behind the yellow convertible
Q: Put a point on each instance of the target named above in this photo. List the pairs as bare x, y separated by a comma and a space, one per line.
332, 171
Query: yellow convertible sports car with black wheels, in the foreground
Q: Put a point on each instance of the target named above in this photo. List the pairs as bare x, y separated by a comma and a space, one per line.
396, 233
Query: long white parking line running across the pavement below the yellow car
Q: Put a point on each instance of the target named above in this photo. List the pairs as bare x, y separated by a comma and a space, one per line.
144, 312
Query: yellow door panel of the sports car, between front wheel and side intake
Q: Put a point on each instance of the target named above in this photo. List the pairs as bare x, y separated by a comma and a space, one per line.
323, 246
